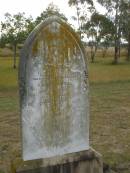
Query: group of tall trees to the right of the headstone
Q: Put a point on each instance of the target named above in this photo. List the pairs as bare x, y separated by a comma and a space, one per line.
113, 28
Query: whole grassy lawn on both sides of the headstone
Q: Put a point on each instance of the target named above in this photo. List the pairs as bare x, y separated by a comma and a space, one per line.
109, 108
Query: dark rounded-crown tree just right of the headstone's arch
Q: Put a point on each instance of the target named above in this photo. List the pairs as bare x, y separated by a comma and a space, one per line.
98, 29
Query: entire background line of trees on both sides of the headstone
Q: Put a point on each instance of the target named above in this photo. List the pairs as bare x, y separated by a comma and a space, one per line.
110, 29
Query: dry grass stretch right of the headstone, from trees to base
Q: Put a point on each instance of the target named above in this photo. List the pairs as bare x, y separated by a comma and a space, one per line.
110, 110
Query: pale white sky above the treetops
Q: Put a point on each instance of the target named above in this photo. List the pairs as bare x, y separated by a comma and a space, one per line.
35, 7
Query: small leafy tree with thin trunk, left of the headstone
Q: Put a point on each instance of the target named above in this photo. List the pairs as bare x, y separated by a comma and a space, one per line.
15, 29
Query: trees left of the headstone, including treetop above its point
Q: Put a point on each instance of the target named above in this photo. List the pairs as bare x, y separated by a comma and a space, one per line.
16, 28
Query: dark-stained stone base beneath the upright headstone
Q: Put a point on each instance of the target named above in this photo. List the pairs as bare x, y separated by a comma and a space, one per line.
82, 162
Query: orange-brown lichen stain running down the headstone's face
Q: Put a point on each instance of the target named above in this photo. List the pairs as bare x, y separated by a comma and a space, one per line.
59, 55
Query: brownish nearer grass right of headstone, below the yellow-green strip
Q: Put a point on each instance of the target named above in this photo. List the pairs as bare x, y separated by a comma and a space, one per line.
110, 120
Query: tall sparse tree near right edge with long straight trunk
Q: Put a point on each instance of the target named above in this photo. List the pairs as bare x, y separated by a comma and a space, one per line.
117, 11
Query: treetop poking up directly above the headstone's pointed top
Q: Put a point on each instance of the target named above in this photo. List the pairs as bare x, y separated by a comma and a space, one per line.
51, 10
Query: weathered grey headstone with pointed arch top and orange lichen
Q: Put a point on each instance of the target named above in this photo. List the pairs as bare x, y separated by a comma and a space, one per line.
53, 92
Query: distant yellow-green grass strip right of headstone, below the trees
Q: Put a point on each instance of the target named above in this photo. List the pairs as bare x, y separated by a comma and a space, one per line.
103, 71
